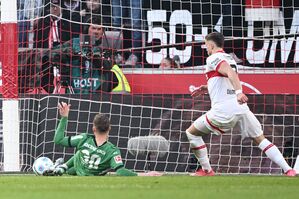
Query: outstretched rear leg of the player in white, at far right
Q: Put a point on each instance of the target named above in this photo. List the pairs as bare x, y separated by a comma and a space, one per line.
271, 150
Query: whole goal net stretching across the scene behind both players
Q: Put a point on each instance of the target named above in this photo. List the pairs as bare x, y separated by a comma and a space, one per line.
159, 47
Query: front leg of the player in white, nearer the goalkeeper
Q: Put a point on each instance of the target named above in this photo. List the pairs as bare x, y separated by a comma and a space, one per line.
198, 146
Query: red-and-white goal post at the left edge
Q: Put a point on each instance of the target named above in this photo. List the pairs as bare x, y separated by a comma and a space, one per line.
10, 110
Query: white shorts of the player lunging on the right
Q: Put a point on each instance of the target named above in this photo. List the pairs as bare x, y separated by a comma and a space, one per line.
249, 124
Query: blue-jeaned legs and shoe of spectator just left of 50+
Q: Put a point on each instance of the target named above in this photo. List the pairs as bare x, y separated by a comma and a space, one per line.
131, 9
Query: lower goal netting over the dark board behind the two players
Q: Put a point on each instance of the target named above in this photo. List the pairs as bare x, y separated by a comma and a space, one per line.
133, 116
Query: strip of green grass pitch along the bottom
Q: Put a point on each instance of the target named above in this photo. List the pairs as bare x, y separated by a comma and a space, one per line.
172, 187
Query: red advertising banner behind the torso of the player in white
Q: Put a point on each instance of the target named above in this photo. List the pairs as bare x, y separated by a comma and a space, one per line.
180, 83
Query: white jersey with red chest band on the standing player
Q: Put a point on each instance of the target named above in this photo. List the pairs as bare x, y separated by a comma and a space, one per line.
223, 98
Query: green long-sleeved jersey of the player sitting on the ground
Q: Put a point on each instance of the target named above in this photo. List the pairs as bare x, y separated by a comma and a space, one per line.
89, 158
